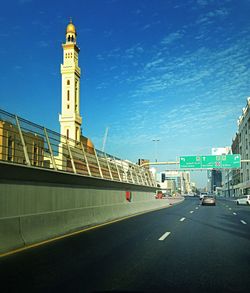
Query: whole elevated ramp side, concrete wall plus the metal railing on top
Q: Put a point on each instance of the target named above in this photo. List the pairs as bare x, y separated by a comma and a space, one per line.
51, 185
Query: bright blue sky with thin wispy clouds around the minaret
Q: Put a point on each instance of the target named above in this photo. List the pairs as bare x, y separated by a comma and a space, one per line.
177, 71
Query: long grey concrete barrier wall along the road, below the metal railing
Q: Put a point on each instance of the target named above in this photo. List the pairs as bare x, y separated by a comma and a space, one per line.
39, 207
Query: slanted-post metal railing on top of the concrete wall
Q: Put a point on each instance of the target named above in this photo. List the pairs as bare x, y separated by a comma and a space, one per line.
24, 142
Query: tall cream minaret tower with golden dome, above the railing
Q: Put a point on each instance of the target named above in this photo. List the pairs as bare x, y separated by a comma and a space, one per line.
70, 119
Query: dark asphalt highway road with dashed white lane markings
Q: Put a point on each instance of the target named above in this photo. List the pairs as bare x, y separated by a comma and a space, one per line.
184, 248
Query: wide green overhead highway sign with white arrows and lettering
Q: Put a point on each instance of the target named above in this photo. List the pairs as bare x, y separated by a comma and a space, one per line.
210, 162
